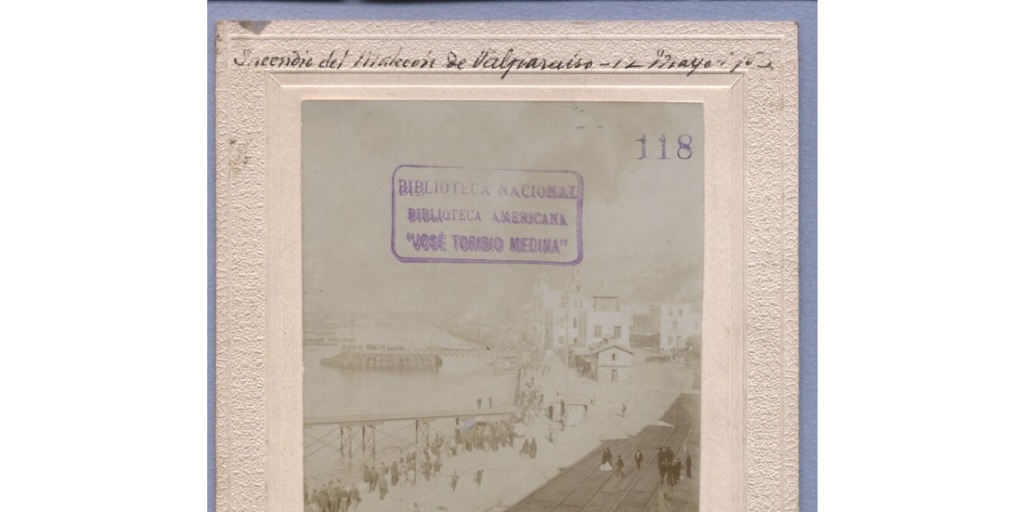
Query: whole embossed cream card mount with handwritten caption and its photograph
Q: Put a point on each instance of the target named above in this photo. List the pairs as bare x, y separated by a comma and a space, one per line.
507, 266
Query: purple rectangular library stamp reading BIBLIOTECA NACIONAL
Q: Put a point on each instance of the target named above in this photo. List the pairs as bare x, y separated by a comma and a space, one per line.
477, 216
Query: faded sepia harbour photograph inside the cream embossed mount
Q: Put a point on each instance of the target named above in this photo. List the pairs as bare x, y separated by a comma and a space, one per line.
502, 306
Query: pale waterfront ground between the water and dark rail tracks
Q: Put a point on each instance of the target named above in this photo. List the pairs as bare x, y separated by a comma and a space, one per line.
660, 385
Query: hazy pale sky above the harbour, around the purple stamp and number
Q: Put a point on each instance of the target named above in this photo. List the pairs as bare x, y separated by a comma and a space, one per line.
644, 220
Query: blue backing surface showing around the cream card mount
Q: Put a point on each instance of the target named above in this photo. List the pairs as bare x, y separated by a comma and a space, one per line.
805, 14
